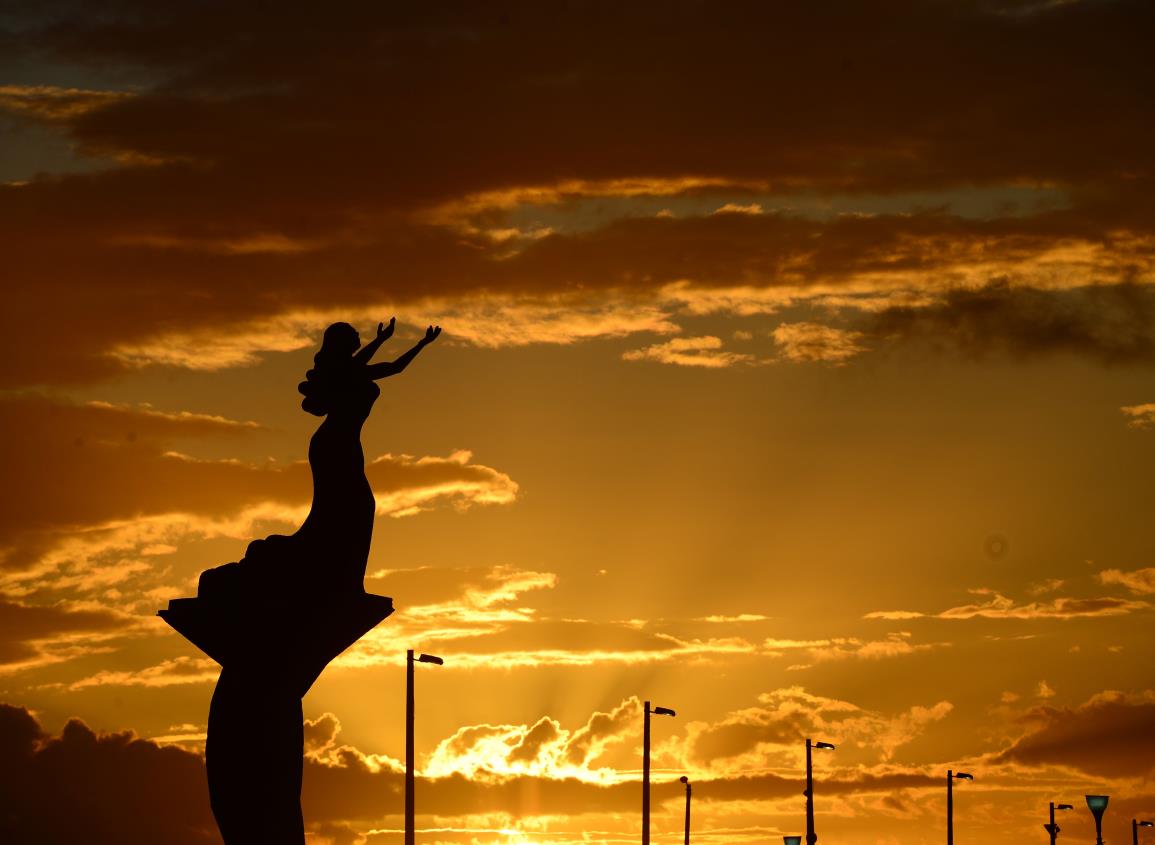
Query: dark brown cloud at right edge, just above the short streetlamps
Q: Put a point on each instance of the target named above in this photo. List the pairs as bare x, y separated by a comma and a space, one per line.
1111, 736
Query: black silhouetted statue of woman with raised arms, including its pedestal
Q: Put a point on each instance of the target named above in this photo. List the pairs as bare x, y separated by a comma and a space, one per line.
277, 618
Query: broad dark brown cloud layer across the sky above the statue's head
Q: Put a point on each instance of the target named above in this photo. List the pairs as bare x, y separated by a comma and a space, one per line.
282, 161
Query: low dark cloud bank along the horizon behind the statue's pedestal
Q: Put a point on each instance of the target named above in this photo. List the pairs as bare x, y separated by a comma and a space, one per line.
83, 787
